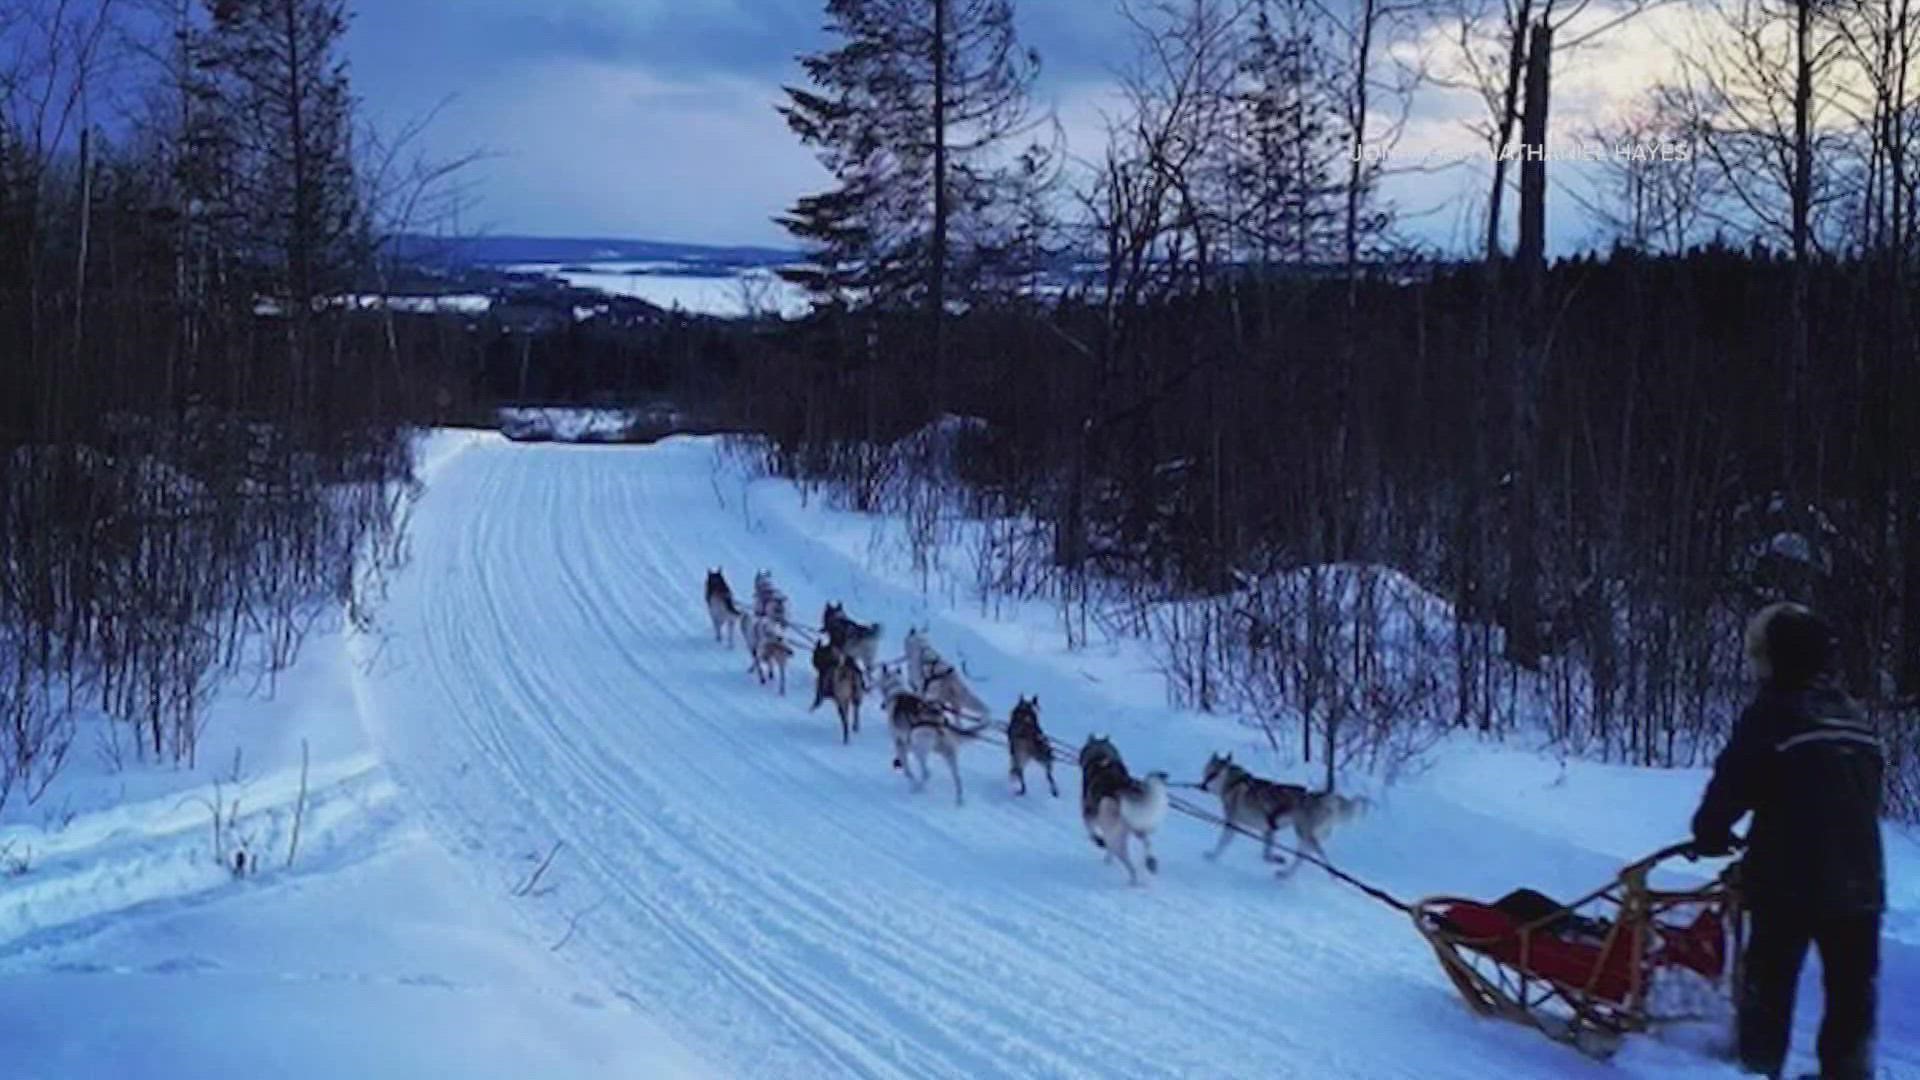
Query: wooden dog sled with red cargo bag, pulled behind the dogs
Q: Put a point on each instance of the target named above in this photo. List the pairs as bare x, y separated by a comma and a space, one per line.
1621, 960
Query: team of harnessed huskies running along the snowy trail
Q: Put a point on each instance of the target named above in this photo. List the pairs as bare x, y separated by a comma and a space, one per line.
932, 714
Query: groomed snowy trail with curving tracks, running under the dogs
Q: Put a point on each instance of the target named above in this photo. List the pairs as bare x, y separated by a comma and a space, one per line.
784, 904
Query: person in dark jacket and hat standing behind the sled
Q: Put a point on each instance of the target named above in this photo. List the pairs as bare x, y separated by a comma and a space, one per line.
1810, 770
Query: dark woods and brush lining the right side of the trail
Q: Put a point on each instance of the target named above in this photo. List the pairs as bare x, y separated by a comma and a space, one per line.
1262, 430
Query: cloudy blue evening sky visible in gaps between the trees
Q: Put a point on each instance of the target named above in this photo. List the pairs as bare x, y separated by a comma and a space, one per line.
656, 118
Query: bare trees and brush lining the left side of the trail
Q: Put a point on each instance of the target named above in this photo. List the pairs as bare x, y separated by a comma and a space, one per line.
201, 453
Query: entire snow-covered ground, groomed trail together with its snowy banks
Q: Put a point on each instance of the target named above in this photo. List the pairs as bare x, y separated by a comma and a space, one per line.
556, 831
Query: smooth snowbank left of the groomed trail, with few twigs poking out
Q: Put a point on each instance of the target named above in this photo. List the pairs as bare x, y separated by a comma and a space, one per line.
132, 952
